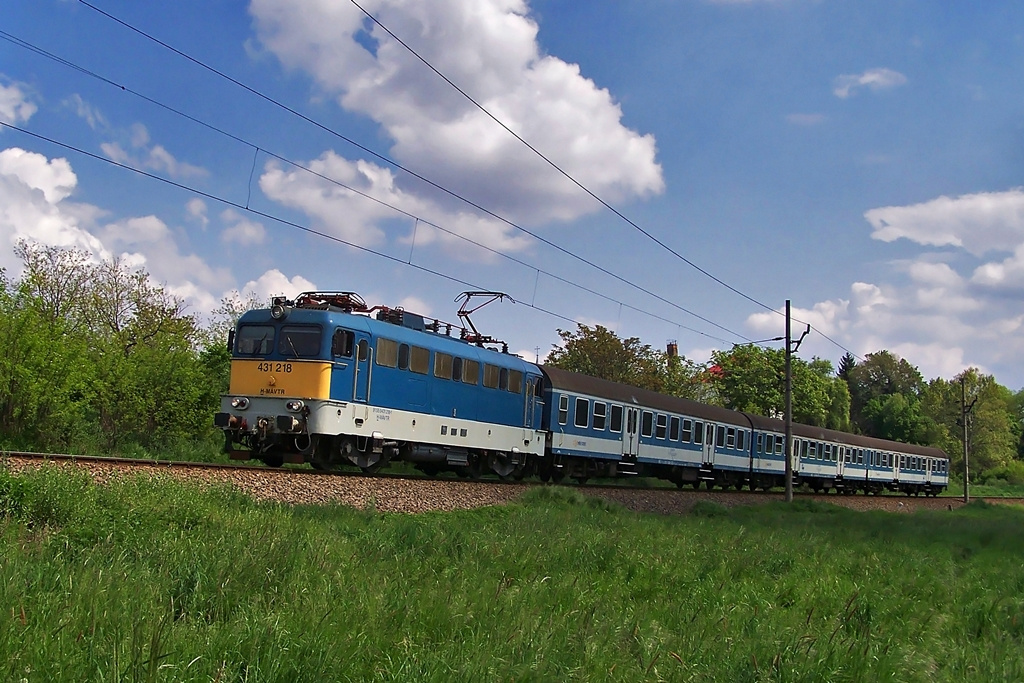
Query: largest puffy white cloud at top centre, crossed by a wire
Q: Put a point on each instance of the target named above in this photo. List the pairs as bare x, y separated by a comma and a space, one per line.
490, 49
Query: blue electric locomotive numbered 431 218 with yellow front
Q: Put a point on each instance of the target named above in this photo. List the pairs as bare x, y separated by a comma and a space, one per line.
327, 380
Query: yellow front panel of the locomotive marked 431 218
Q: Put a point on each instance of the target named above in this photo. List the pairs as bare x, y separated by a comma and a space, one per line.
292, 379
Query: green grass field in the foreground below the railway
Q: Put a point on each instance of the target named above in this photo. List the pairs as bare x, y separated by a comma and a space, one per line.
160, 581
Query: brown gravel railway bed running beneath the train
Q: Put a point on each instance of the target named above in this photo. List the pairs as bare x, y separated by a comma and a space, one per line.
404, 493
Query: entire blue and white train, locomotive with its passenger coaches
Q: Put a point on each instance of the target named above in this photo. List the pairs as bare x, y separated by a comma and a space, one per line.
327, 380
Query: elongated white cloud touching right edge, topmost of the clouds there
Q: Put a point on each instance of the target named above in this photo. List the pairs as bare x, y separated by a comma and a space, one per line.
977, 224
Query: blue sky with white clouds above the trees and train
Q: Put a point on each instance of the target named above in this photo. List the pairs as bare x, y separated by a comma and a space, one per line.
674, 170
